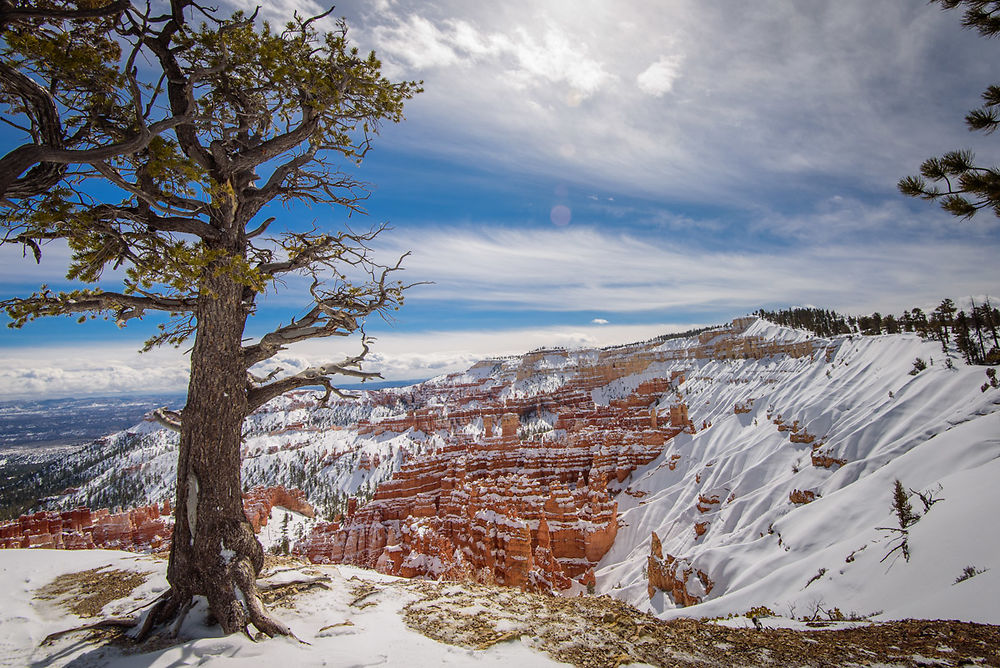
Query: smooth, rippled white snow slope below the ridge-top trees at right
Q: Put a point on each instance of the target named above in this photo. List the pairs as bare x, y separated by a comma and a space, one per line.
935, 431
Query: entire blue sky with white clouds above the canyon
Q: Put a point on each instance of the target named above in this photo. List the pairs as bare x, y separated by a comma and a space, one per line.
589, 173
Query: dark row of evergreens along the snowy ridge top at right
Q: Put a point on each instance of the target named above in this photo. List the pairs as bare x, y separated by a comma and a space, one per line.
973, 333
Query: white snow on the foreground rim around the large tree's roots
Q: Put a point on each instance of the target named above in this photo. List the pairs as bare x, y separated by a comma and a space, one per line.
332, 631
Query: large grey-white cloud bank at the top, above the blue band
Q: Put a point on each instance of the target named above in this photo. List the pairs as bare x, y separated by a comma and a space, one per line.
767, 102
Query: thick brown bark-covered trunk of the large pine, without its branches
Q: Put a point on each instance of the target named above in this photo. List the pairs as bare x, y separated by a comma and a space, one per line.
214, 552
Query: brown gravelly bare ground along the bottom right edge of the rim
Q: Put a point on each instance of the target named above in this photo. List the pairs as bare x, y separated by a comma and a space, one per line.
599, 632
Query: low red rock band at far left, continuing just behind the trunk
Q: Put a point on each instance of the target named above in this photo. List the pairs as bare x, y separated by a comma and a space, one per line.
145, 529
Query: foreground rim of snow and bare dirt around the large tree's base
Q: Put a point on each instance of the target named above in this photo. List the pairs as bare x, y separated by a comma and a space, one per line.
346, 617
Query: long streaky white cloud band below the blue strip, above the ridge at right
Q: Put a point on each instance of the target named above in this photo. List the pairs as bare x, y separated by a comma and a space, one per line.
586, 269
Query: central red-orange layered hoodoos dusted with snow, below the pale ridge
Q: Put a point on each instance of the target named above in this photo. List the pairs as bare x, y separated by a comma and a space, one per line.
530, 510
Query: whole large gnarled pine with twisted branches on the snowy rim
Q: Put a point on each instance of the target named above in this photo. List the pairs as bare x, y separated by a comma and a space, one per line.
229, 115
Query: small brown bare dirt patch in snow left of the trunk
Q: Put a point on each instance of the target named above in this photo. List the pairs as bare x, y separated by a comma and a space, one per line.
85, 593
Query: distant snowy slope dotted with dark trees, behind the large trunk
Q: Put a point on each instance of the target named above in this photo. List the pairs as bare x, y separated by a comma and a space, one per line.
292, 441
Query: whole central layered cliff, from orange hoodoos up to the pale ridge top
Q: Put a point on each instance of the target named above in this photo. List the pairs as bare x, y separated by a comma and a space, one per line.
500, 501
